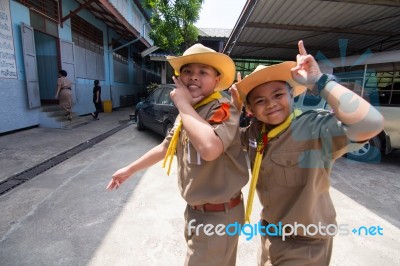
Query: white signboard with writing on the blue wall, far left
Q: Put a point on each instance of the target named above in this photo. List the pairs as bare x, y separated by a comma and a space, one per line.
8, 67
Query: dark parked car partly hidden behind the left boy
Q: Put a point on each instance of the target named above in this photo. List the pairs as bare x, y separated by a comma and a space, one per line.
157, 112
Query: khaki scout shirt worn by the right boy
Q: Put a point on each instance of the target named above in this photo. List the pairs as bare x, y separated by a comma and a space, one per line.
293, 183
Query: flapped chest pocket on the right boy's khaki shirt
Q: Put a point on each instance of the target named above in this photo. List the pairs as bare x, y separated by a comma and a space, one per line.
286, 170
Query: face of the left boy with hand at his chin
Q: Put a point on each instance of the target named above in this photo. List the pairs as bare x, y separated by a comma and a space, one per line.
200, 79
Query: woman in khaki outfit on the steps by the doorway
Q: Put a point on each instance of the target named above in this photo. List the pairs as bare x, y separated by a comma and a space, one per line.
64, 93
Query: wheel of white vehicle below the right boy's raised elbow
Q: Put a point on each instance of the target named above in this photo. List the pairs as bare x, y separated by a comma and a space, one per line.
370, 152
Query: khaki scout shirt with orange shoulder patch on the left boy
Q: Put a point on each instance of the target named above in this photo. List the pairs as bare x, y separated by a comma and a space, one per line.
215, 181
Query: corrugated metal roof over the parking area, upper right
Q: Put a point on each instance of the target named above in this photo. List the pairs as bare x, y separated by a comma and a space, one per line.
270, 29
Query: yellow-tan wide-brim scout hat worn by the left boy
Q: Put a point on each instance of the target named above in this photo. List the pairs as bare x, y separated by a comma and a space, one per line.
200, 54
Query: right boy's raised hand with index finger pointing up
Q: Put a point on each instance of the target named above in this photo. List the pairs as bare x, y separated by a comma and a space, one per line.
307, 71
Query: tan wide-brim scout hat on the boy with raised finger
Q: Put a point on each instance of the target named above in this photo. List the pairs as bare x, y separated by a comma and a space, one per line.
263, 74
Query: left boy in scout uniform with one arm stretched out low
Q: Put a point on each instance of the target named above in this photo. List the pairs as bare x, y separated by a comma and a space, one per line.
211, 162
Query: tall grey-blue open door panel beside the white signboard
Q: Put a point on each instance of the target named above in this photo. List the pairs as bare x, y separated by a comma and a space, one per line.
31, 74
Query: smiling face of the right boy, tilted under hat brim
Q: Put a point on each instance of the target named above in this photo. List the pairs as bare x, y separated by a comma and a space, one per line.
270, 102
